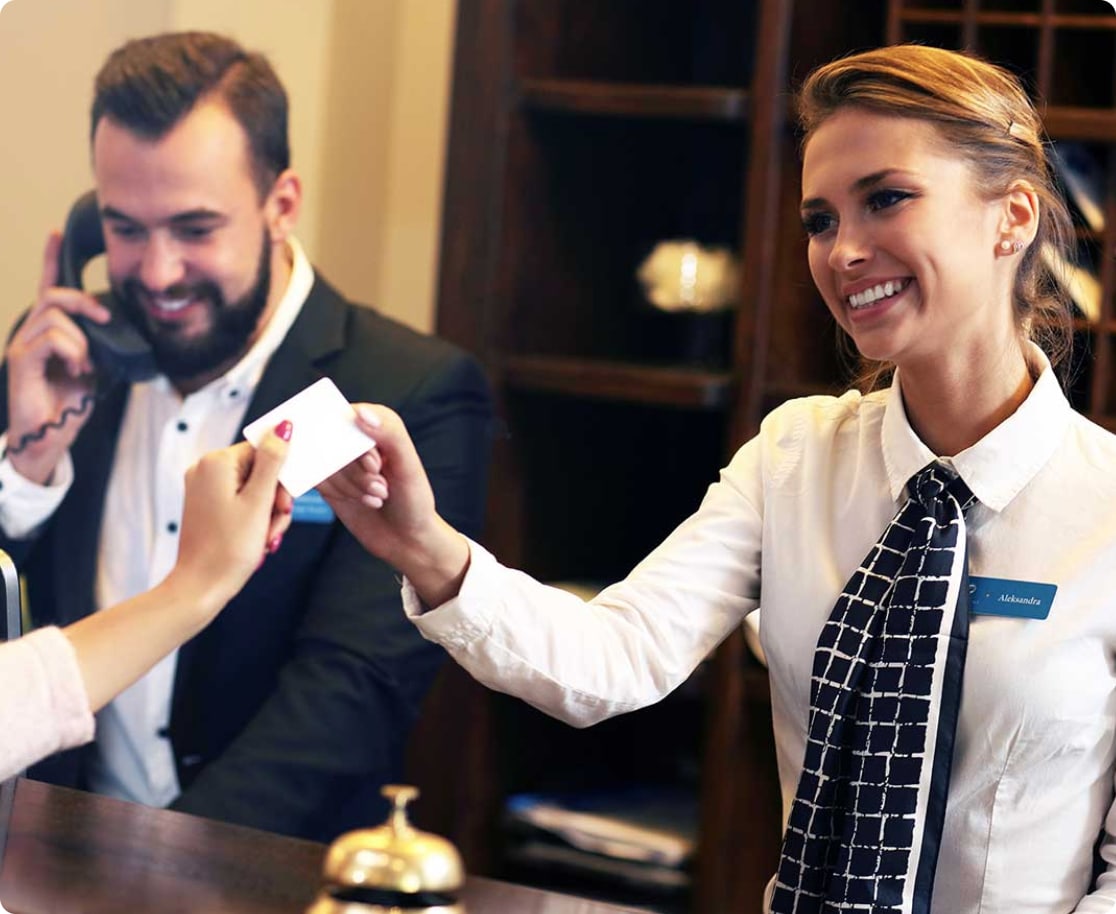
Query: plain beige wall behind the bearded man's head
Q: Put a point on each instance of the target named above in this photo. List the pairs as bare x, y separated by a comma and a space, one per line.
369, 82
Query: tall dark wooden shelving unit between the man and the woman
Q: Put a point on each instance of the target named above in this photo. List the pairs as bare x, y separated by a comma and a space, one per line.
583, 133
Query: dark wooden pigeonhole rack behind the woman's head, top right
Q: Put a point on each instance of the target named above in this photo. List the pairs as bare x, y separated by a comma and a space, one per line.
1066, 53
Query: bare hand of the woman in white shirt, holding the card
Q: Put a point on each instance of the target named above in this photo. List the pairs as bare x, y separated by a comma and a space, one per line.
386, 501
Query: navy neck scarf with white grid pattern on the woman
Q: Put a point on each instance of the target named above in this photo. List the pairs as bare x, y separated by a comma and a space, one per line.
867, 823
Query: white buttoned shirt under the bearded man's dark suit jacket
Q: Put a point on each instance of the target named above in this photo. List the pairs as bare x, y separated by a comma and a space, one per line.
162, 435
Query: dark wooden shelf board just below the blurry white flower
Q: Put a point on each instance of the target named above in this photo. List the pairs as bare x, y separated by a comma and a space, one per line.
618, 381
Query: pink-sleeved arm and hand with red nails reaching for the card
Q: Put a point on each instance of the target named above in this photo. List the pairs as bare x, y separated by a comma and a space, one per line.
54, 679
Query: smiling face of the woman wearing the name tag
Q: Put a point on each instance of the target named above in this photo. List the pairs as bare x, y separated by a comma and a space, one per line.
901, 247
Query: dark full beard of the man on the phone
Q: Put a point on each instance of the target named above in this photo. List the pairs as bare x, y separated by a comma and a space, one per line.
228, 339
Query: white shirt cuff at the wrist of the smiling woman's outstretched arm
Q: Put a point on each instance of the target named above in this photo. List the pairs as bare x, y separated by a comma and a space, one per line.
466, 619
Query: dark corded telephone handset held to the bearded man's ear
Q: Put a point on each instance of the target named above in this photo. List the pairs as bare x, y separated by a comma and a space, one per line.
118, 349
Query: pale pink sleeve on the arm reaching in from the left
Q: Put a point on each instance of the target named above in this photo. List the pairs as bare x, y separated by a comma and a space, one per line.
44, 707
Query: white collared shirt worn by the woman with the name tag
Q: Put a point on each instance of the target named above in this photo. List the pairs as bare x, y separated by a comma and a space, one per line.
793, 516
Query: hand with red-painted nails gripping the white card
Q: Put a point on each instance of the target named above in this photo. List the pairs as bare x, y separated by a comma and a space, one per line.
235, 515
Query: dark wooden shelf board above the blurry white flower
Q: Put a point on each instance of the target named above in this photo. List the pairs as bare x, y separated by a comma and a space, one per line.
627, 100
